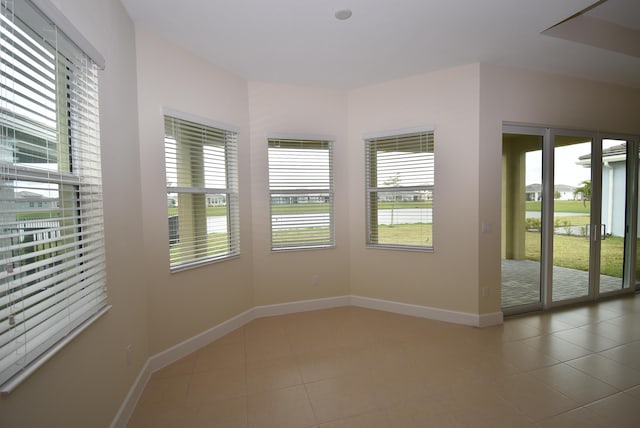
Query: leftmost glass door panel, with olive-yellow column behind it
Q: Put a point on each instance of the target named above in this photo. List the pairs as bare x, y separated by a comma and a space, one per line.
522, 220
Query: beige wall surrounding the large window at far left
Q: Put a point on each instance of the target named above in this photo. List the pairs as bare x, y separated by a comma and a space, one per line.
85, 383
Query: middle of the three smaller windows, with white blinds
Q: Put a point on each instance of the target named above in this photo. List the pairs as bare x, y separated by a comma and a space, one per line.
301, 191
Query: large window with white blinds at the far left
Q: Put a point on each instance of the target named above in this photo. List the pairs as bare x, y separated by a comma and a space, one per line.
52, 261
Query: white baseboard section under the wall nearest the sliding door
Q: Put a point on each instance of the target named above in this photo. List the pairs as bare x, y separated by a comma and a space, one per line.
438, 314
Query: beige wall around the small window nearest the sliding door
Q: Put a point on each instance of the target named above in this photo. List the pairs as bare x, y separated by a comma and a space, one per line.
447, 278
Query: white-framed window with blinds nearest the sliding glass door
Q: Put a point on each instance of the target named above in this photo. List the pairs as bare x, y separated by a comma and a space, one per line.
419, 175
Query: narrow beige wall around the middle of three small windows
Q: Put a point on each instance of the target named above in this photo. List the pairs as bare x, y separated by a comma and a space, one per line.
297, 110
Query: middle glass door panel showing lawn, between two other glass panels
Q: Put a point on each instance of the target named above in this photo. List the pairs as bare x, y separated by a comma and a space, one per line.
571, 218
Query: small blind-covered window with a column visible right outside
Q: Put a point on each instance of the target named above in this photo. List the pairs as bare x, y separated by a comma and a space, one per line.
202, 192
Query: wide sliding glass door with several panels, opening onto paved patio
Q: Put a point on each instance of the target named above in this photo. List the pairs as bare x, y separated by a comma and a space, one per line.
568, 215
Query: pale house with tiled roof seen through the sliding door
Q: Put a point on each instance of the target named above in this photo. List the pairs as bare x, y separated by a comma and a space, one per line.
614, 162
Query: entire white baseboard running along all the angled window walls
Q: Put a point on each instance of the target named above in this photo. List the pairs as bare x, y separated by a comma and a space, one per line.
182, 349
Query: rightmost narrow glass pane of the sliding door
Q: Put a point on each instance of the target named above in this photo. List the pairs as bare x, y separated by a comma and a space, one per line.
614, 188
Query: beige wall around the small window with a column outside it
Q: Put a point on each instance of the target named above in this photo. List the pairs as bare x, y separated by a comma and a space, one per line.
189, 302
